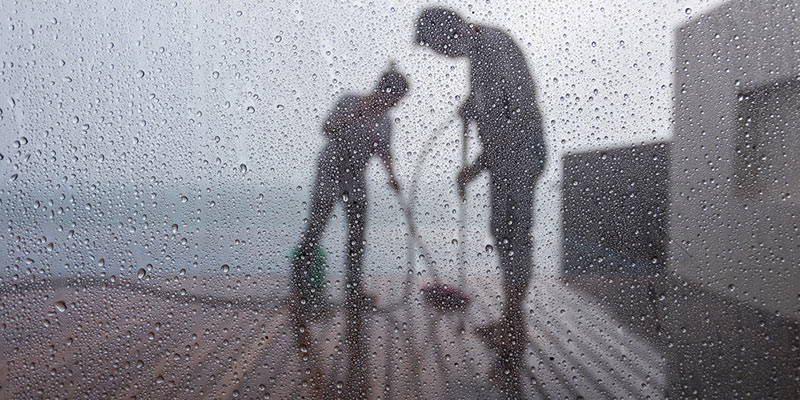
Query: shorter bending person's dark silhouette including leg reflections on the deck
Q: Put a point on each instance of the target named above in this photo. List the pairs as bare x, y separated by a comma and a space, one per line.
357, 129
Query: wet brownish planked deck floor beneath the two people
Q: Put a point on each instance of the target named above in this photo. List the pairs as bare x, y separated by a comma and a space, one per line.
216, 338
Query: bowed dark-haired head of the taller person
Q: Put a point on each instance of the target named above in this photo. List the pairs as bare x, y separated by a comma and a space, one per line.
444, 31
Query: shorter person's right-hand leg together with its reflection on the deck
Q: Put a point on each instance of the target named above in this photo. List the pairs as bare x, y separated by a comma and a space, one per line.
355, 307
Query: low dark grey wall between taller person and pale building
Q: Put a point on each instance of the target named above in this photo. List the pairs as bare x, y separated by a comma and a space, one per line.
615, 209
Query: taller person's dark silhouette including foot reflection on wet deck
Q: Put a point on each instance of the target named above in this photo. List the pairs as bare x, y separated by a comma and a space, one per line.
502, 102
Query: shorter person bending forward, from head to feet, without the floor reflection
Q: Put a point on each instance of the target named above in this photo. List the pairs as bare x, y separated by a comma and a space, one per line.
357, 129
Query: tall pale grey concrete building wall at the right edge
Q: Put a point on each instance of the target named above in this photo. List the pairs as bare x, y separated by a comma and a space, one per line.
742, 244
